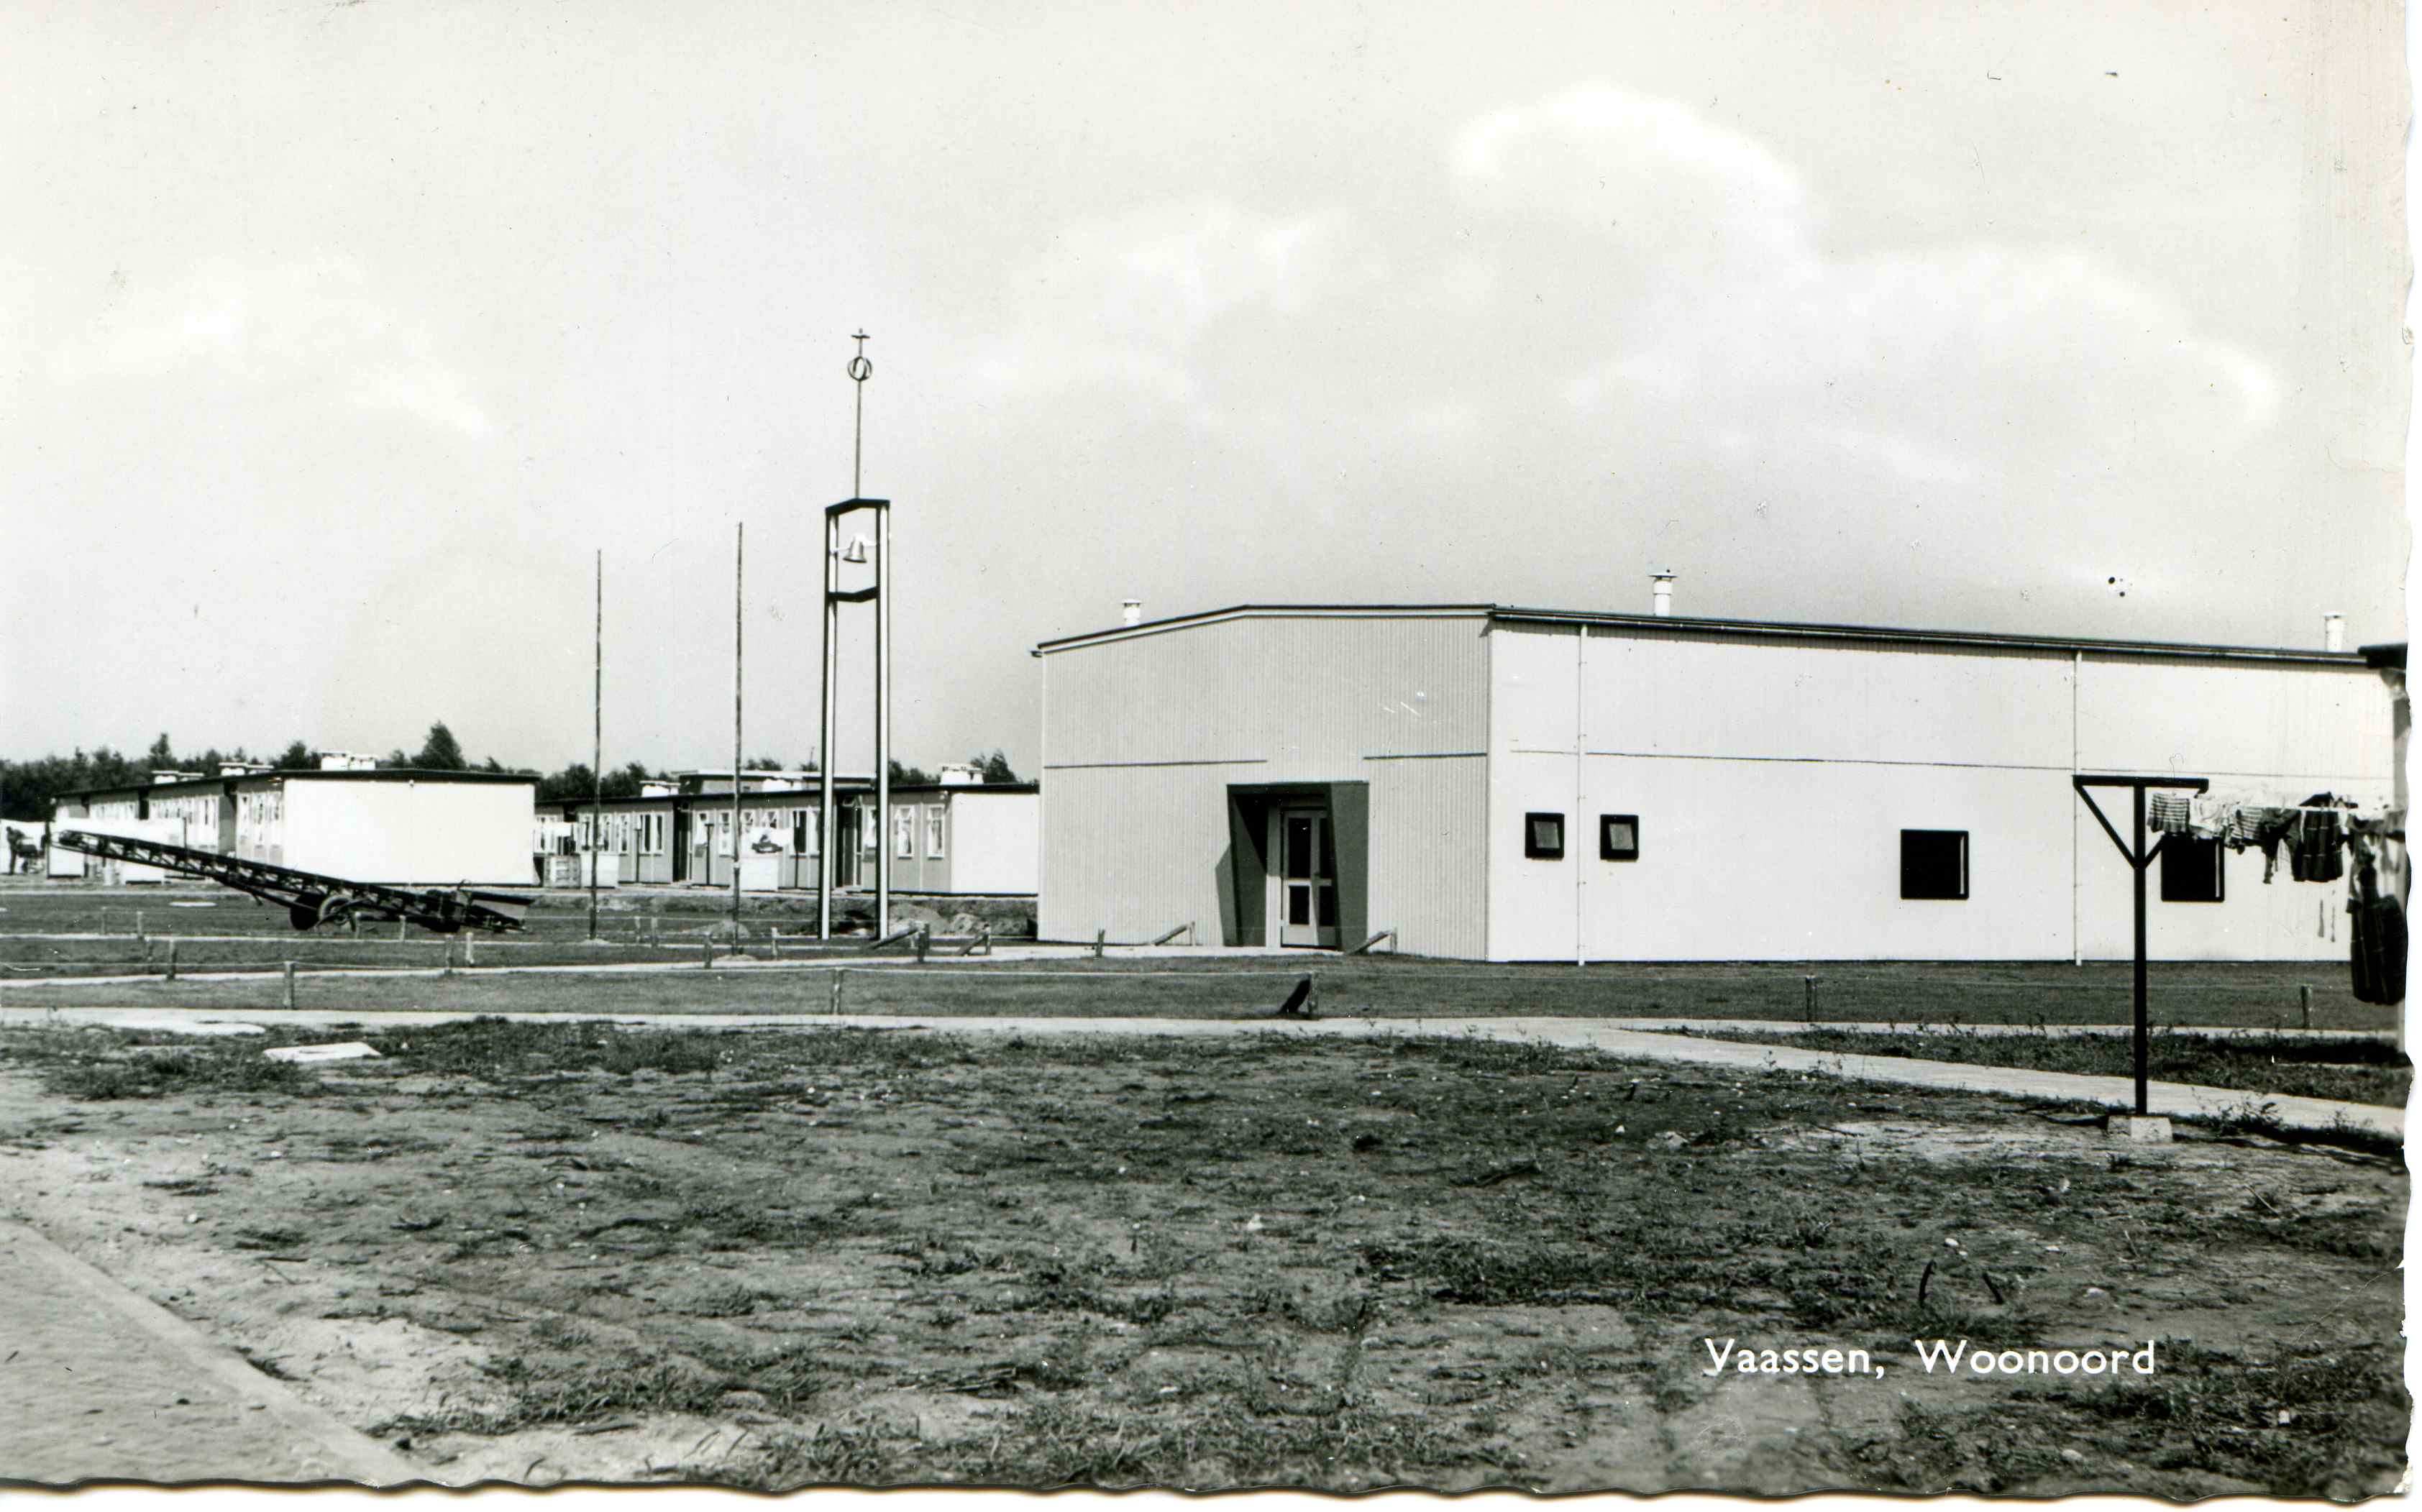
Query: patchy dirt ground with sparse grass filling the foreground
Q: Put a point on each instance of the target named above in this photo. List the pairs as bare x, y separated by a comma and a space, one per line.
776, 1259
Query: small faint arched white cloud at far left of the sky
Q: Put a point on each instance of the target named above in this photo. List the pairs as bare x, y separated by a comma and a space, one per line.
304, 323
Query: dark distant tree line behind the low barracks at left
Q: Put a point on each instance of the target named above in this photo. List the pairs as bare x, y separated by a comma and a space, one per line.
30, 789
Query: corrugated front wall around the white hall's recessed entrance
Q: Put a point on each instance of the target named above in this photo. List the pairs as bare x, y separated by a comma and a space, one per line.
1144, 738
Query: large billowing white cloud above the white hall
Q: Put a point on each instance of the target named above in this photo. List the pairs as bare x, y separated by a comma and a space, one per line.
1653, 285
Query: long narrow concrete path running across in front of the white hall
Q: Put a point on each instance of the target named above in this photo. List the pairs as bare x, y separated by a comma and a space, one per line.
1576, 1033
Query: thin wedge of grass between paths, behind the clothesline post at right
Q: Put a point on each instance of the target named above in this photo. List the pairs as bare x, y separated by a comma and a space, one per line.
2278, 1065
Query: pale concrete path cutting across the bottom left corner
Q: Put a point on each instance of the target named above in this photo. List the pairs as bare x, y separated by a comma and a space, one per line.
101, 1385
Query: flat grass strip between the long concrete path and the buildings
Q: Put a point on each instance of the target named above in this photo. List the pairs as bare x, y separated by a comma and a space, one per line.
91, 934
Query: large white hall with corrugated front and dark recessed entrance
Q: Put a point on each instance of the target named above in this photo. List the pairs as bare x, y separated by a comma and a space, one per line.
1520, 784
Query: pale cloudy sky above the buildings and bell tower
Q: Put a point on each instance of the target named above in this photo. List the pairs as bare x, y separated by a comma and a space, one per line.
343, 338
